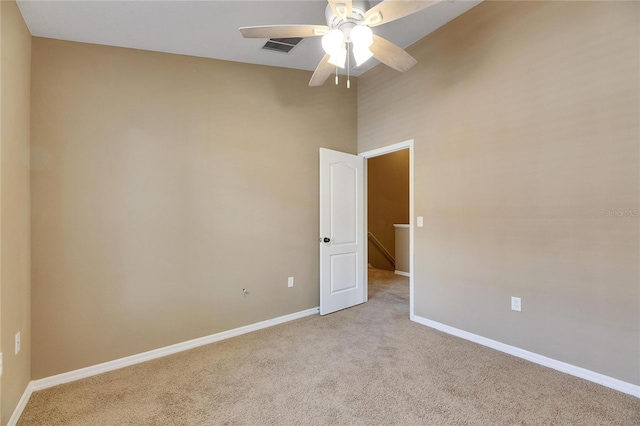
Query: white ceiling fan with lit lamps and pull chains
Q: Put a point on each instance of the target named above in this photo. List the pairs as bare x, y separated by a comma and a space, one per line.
348, 30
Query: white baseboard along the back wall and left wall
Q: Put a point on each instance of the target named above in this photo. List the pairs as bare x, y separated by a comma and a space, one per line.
47, 382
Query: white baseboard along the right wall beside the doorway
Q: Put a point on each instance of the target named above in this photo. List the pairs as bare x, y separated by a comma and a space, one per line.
583, 373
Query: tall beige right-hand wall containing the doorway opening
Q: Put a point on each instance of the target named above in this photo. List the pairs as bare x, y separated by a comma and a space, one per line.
526, 128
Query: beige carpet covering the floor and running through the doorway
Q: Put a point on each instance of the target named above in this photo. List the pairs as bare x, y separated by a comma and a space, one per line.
364, 365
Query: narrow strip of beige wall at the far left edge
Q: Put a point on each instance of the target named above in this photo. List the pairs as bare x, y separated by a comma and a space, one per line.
15, 64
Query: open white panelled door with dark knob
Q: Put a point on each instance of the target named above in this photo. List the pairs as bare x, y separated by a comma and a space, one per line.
342, 262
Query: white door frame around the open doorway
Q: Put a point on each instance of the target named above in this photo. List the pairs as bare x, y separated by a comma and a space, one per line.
408, 144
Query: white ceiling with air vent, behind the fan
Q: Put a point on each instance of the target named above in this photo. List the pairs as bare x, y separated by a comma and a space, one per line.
210, 28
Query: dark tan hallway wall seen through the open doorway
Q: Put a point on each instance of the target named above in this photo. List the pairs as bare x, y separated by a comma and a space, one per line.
387, 202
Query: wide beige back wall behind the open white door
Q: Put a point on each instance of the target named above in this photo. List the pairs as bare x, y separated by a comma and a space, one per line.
162, 185
